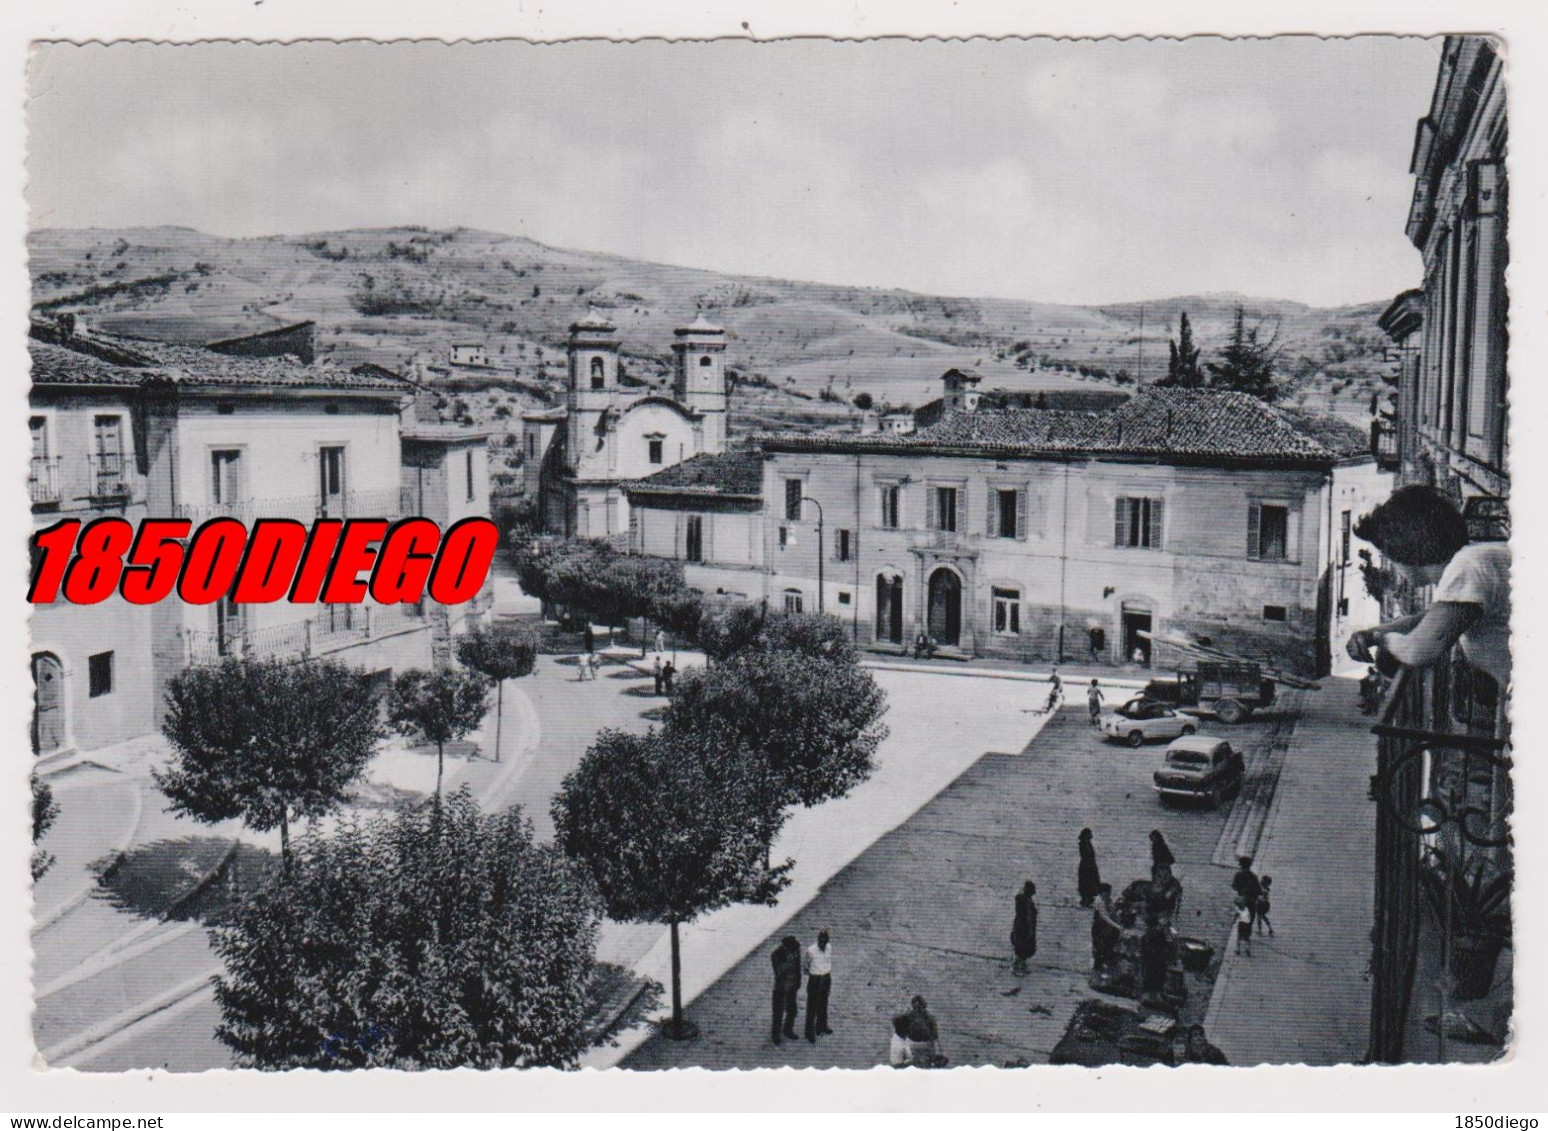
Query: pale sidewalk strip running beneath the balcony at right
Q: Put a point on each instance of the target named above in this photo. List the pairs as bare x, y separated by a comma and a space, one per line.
1303, 996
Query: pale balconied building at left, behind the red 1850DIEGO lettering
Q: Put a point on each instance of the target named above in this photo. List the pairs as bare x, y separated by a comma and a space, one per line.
143, 429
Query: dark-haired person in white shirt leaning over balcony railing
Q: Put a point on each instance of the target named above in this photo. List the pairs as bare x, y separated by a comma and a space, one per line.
1425, 538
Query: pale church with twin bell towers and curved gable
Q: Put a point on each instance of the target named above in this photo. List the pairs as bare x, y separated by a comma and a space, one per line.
580, 457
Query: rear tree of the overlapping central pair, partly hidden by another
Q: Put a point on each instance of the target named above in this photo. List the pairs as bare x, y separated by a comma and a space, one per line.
812, 725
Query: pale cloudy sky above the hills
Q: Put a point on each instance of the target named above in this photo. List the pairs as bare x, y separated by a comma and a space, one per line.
1047, 171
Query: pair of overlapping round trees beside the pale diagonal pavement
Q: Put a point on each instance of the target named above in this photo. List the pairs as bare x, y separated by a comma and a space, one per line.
682, 821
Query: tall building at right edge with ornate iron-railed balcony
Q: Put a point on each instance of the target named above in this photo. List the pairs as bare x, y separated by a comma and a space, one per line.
1444, 788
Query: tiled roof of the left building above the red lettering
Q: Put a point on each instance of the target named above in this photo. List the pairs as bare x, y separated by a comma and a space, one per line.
100, 361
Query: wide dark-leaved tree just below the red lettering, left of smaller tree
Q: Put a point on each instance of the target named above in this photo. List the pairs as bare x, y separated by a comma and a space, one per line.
267, 740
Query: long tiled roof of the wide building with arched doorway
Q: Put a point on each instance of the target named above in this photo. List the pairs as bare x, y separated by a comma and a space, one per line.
1165, 425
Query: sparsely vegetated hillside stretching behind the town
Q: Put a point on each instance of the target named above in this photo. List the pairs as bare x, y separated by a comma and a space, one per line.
800, 352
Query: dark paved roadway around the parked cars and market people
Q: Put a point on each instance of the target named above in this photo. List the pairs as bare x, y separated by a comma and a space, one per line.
928, 909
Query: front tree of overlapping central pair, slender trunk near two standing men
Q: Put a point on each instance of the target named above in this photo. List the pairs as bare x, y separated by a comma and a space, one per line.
671, 829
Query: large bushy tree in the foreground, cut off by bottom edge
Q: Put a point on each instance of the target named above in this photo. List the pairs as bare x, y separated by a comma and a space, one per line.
434, 938
